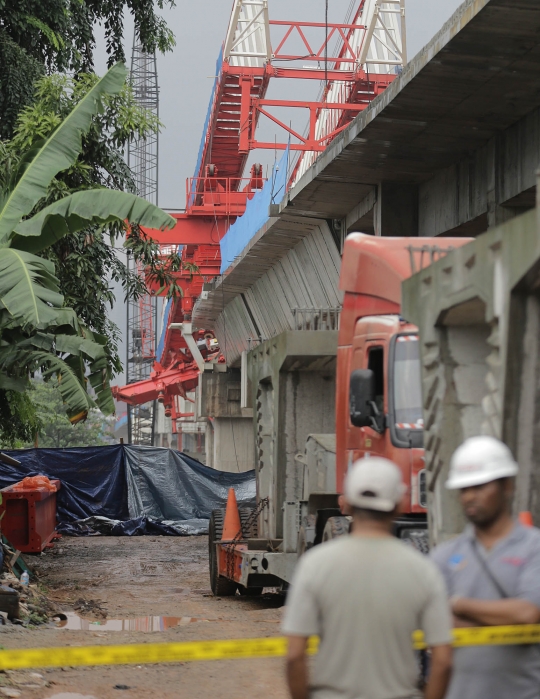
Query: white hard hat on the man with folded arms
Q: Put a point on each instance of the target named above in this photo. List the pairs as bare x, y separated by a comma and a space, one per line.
480, 460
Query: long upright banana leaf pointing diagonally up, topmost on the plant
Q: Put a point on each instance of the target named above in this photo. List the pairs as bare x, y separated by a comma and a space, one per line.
58, 152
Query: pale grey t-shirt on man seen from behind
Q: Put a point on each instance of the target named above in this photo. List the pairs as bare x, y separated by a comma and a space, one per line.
364, 597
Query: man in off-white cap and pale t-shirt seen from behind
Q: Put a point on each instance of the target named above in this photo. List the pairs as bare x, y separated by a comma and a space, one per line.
364, 595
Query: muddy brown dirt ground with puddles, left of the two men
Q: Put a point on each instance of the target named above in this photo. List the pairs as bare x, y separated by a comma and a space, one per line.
122, 578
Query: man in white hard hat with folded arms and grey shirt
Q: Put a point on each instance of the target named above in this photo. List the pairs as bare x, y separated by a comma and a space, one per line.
492, 573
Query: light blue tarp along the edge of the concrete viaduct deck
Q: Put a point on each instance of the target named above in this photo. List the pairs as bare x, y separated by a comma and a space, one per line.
256, 214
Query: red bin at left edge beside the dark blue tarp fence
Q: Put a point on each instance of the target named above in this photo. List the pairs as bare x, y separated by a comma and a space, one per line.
29, 522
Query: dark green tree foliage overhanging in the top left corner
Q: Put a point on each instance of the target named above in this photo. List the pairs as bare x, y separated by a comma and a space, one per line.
59, 36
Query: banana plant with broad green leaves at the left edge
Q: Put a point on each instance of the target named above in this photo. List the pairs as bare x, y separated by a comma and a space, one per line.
37, 333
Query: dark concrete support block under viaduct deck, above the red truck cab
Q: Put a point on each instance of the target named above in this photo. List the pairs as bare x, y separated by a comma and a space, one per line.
396, 210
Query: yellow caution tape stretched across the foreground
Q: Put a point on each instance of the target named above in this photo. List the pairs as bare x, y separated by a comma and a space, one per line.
150, 653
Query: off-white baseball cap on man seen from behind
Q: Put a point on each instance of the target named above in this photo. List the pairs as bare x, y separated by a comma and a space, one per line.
374, 483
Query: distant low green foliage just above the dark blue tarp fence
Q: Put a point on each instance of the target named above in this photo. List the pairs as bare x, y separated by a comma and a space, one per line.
54, 428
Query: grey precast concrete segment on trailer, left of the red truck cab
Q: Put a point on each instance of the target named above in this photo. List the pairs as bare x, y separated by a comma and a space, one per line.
293, 387
